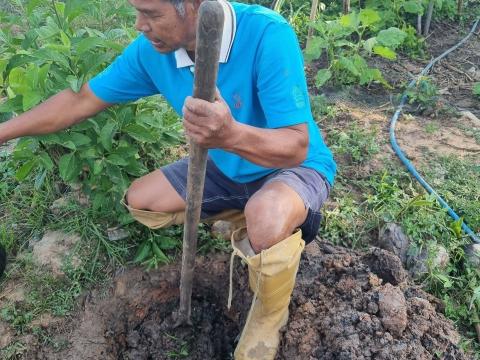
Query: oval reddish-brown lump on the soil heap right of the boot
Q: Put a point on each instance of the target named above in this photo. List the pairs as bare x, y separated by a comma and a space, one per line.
393, 309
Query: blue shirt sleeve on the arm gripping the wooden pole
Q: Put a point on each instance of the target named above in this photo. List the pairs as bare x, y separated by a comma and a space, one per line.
281, 84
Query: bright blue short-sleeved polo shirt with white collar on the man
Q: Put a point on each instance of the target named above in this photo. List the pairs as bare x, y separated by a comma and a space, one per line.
261, 77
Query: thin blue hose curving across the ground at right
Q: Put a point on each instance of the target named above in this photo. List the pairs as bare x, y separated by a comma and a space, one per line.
399, 151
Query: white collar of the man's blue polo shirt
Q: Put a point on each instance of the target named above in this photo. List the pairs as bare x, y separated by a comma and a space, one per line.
229, 30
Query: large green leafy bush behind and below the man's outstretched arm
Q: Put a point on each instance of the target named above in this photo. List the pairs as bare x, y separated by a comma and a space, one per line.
103, 152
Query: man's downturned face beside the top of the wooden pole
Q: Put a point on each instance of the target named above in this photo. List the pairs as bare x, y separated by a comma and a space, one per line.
163, 26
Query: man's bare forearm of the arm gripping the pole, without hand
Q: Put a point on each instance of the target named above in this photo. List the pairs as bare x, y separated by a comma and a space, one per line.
273, 148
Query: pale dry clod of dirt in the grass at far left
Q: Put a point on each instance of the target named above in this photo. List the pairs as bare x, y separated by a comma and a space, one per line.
52, 249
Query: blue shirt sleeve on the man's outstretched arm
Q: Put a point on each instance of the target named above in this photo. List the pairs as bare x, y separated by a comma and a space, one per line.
125, 79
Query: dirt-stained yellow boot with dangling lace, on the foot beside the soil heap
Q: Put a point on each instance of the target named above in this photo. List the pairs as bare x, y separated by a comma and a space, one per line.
272, 278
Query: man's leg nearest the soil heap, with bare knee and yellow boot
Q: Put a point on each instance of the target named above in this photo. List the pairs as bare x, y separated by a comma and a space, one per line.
271, 246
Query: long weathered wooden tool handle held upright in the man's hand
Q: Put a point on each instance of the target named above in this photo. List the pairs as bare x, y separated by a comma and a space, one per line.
209, 39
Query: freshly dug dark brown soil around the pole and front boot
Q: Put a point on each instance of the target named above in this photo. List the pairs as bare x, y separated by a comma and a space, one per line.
345, 305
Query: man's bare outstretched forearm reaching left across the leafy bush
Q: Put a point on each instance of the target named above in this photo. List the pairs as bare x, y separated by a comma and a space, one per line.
59, 112
